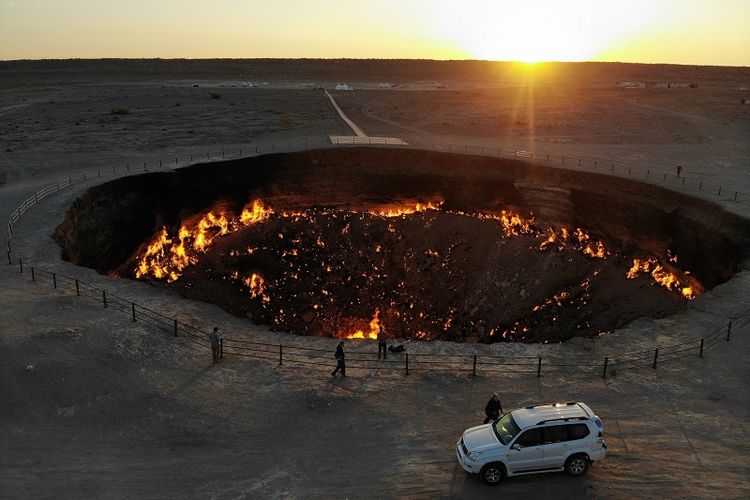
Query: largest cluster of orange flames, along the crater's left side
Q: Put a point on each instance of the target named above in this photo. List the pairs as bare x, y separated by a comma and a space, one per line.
166, 258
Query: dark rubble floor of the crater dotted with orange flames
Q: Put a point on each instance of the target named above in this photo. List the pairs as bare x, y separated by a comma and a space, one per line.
341, 273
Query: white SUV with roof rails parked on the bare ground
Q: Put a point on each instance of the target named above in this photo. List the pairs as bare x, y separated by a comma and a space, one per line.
542, 438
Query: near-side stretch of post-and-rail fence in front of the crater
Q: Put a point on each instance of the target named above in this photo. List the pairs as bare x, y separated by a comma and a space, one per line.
458, 362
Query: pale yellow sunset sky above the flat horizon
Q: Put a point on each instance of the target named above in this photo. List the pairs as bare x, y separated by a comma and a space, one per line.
704, 32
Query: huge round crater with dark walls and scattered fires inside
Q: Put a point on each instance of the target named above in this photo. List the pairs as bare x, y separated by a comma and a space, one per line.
344, 242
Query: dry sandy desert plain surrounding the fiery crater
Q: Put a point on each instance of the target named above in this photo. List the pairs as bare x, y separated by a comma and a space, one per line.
116, 409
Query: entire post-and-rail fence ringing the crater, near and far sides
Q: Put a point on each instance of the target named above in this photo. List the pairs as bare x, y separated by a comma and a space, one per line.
463, 362
